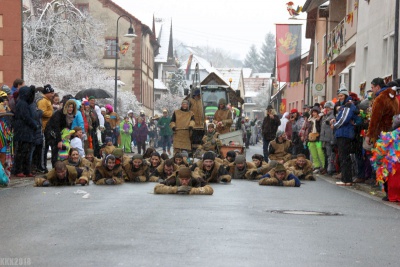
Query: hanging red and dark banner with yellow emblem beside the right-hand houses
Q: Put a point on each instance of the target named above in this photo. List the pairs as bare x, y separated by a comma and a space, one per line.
288, 52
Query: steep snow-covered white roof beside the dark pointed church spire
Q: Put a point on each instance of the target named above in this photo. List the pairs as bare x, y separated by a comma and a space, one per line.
163, 33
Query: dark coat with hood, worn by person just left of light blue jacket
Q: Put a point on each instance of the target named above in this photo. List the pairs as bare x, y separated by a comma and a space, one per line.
58, 122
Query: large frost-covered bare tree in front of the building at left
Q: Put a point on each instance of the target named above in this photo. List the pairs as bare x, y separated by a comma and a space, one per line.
63, 47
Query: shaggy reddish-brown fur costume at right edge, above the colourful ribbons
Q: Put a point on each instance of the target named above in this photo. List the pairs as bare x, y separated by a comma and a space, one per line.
384, 108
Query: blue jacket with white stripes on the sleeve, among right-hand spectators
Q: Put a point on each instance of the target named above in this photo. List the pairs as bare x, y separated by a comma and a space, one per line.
344, 120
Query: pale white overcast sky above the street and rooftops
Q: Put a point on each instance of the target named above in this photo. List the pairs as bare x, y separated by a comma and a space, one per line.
232, 25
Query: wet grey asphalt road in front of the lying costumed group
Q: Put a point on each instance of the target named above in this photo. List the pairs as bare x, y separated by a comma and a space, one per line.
240, 225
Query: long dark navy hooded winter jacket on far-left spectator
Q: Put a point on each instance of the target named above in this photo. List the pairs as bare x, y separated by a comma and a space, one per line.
25, 124
